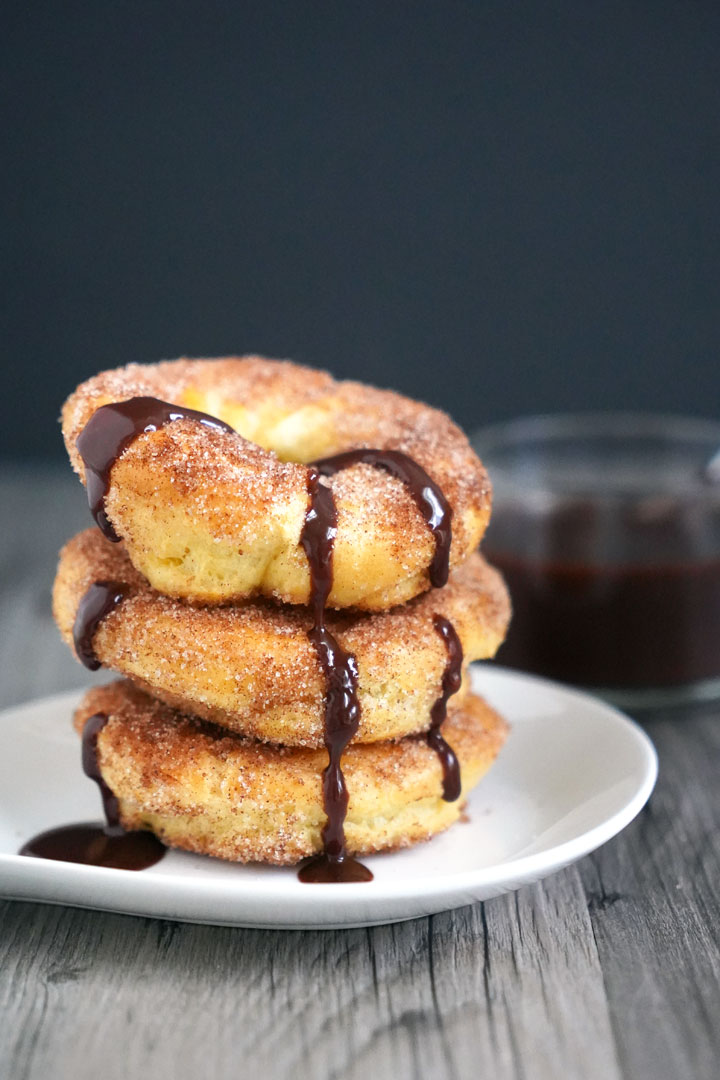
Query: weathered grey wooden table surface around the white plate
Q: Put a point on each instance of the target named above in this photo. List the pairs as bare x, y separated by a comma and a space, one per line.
609, 969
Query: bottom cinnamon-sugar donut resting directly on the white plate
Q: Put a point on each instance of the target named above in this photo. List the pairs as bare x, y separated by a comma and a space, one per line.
203, 790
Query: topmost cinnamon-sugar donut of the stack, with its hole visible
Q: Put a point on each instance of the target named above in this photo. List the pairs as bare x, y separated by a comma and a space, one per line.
211, 515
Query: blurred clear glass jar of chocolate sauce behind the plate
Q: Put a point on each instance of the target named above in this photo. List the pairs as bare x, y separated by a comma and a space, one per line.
607, 530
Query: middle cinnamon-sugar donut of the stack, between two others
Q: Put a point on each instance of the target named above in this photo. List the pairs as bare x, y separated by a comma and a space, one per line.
251, 668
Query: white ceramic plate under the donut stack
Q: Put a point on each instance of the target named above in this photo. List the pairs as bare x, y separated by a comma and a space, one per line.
573, 775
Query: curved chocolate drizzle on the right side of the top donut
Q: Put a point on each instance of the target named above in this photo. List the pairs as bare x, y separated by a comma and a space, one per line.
428, 497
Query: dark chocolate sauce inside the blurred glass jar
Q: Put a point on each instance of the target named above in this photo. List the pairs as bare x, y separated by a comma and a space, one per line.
590, 610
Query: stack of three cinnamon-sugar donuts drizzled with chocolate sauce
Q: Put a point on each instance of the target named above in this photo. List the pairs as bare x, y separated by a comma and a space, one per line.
284, 573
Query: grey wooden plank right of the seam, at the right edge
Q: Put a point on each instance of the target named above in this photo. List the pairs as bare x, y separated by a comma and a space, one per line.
656, 909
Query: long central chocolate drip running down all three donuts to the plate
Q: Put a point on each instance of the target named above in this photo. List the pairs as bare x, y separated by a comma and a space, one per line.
343, 709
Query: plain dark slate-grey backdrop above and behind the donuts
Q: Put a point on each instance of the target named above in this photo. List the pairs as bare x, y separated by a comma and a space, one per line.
501, 209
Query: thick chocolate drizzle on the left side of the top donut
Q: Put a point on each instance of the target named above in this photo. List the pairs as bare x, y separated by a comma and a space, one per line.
112, 429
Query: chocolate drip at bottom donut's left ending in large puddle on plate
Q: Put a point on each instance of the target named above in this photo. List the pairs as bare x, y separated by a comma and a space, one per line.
107, 845
